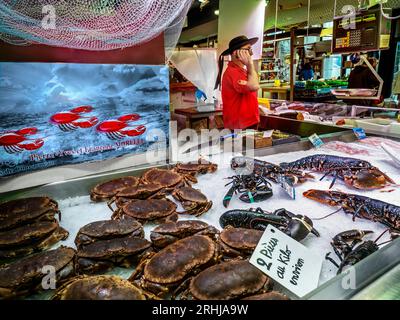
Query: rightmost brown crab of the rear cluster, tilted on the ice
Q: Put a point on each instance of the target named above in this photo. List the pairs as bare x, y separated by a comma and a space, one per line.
193, 201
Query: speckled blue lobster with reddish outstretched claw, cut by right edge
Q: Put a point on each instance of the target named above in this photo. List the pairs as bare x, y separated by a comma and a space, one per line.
359, 206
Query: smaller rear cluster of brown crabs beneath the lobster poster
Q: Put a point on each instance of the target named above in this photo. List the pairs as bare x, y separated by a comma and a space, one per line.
145, 198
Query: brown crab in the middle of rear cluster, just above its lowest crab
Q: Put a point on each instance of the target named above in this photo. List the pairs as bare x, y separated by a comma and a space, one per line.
139, 192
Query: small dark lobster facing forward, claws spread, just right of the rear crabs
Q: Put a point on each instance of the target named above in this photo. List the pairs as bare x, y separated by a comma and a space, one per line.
253, 188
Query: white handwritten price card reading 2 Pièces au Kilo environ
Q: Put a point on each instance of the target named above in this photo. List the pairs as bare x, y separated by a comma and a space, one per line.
287, 261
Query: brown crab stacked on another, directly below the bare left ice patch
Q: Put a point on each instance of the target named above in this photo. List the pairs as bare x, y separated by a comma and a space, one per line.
108, 229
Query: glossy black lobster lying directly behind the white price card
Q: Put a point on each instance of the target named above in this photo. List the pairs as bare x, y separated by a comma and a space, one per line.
295, 226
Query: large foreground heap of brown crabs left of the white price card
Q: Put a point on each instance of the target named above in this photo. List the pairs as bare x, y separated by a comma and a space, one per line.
184, 259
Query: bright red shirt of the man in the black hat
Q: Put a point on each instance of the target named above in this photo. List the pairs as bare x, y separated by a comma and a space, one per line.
240, 105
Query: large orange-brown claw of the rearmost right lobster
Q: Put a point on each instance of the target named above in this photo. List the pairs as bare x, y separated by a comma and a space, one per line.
371, 178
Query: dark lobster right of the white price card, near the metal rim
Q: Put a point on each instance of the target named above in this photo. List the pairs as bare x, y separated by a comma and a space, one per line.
350, 254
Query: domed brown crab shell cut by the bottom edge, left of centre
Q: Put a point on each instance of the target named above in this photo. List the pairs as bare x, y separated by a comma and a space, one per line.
101, 287
